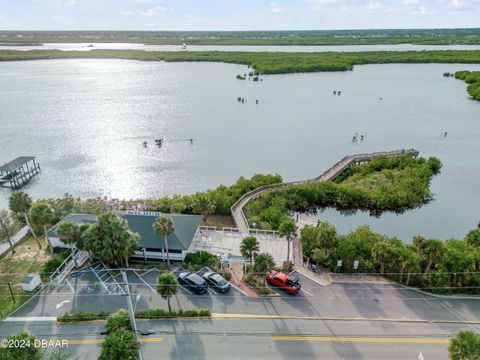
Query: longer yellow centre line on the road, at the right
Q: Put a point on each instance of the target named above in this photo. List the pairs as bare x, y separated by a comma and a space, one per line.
361, 339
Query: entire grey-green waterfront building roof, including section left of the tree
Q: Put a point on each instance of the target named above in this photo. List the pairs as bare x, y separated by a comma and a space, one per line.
142, 223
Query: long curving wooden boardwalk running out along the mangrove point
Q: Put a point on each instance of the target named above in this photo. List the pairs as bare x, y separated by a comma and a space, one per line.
330, 174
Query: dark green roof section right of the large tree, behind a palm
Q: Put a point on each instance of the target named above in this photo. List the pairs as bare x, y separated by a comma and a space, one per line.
185, 228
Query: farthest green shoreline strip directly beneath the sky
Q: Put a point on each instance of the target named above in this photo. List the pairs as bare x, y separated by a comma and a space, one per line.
287, 37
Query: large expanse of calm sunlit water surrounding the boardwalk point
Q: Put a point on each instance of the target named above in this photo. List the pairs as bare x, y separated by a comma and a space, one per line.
86, 121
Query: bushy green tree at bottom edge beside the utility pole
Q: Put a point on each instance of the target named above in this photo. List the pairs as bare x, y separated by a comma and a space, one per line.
119, 341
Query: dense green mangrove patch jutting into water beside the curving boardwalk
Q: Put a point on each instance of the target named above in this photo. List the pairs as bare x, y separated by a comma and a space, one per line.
384, 184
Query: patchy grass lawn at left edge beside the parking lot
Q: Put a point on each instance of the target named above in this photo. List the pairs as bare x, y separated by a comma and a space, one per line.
27, 259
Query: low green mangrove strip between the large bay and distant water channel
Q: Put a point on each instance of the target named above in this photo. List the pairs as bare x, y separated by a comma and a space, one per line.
263, 62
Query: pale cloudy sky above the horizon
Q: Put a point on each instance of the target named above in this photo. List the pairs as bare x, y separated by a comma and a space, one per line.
236, 14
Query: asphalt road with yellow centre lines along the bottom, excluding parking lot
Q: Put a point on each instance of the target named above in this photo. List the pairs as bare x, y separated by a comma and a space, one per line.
260, 338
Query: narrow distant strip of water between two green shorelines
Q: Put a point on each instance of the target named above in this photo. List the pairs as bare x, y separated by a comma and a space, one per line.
336, 48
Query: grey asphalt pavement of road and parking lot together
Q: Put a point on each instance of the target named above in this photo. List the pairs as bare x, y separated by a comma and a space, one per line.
342, 321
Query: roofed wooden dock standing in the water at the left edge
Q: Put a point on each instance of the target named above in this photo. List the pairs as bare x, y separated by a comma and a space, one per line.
18, 172
